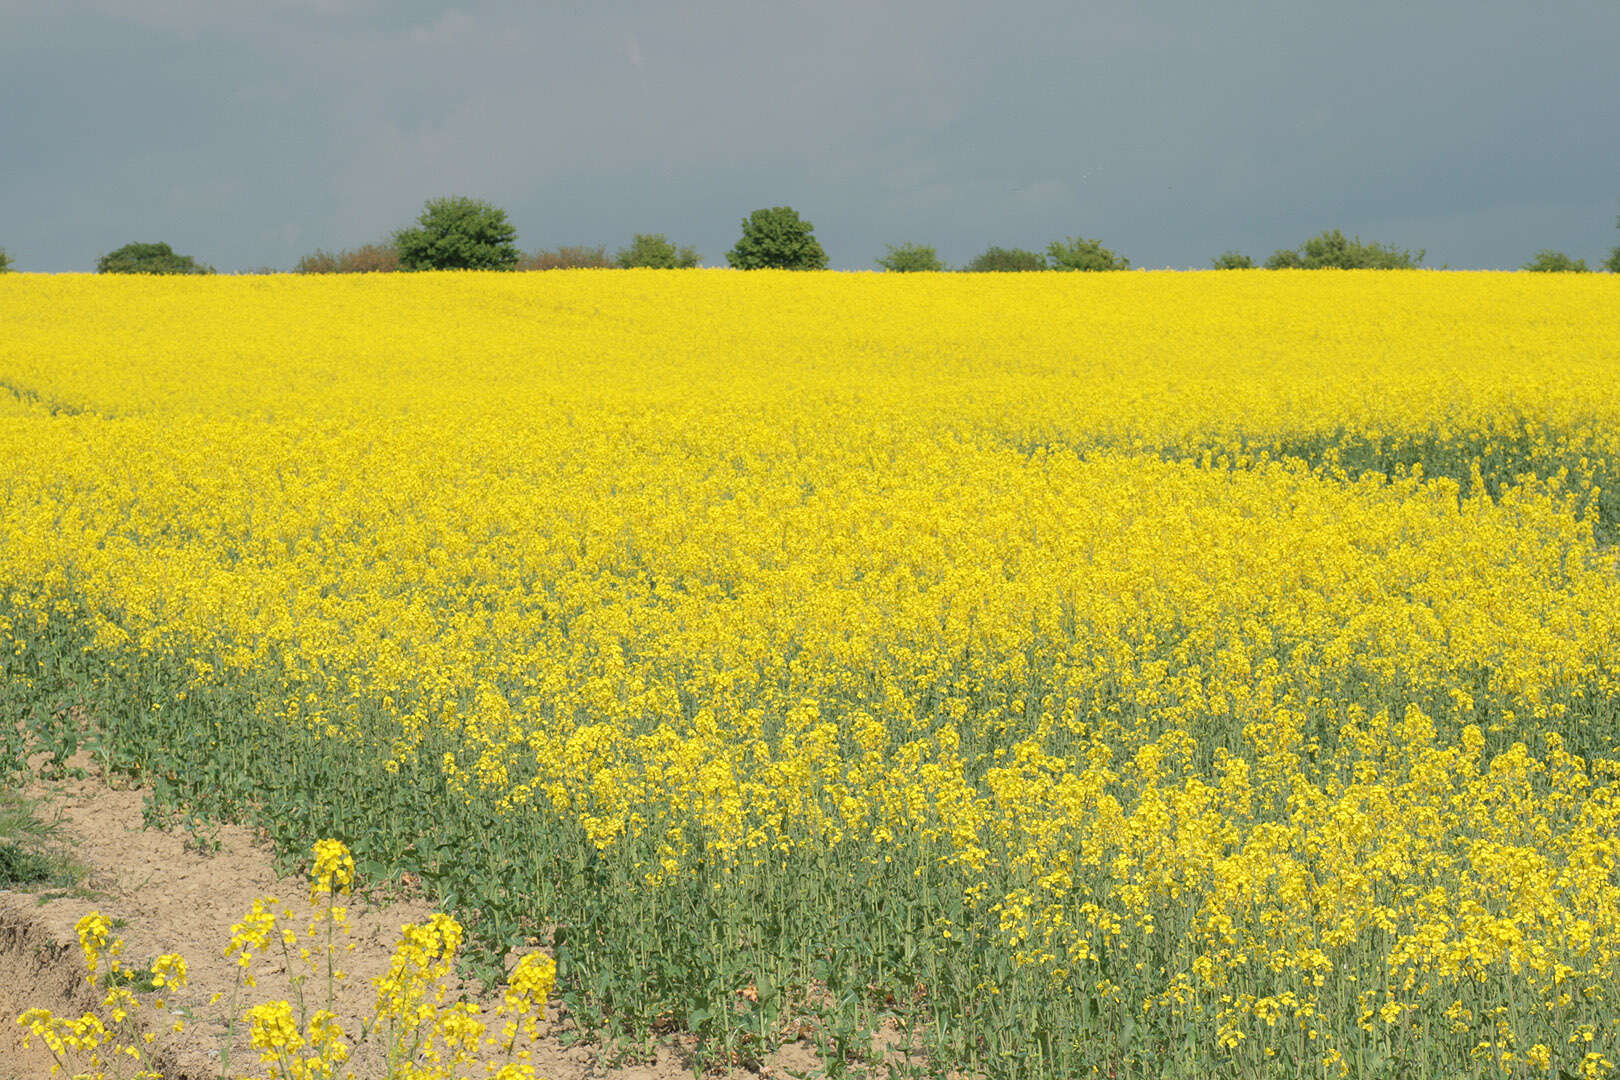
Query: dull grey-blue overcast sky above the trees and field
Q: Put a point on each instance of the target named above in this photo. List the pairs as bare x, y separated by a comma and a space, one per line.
252, 132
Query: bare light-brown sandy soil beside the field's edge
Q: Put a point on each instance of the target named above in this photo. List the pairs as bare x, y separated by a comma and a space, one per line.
173, 898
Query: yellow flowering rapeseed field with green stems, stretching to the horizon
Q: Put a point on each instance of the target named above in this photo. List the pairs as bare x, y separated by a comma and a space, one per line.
1089, 674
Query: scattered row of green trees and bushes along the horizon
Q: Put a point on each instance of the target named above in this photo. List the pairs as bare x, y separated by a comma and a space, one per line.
464, 234
